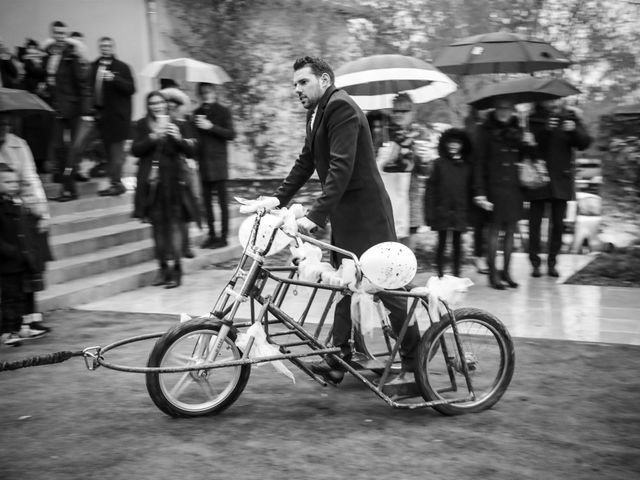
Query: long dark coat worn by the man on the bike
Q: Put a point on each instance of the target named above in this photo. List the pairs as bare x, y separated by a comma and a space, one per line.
353, 199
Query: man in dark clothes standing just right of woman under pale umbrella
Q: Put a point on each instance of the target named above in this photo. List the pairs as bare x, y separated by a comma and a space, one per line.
215, 129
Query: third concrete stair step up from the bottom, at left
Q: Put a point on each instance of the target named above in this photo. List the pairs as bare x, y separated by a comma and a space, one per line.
79, 243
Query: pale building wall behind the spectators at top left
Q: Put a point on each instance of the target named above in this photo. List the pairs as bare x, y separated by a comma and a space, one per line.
123, 20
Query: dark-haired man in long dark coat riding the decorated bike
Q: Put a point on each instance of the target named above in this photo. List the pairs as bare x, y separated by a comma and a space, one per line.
338, 146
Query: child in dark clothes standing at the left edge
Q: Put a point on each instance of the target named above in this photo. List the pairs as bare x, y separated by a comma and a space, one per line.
21, 261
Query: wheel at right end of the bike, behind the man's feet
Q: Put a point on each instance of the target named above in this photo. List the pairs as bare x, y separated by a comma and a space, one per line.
487, 351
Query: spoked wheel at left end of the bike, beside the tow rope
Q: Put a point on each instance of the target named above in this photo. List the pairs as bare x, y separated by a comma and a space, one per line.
195, 392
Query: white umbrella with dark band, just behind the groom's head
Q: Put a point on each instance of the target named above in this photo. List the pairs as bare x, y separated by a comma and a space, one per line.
374, 81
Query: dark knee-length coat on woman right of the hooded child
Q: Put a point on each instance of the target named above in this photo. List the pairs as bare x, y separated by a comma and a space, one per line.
499, 151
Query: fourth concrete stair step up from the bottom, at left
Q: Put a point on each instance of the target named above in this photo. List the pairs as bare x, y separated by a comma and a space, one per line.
90, 220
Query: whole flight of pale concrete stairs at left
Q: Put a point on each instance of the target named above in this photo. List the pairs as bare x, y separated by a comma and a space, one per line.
99, 250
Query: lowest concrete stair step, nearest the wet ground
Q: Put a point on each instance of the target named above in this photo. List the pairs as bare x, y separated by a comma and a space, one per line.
94, 287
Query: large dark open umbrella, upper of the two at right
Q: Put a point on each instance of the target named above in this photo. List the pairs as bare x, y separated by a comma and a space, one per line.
499, 52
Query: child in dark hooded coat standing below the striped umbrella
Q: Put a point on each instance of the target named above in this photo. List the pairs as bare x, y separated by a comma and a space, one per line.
448, 194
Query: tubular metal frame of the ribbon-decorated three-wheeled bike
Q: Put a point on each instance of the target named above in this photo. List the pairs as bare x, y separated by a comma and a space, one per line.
254, 276
